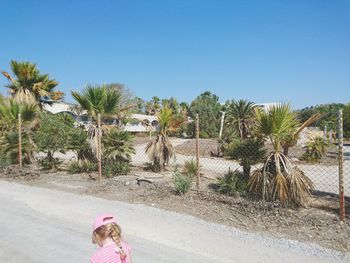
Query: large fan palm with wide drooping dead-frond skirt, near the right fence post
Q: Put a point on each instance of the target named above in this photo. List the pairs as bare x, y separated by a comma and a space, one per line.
279, 179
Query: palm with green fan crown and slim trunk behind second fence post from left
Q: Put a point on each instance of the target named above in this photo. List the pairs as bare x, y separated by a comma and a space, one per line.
98, 101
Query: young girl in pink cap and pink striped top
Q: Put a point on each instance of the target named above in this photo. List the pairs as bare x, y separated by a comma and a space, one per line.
107, 234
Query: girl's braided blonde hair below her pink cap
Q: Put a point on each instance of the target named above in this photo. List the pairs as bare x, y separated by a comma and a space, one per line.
110, 230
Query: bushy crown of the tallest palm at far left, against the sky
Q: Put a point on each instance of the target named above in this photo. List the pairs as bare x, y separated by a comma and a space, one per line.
29, 82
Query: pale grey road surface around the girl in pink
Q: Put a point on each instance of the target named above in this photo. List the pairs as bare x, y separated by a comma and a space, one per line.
43, 225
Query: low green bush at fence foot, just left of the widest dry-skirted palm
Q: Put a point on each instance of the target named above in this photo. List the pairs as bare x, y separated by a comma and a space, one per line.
232, 183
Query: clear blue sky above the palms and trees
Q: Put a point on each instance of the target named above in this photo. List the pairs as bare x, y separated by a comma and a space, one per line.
264, 51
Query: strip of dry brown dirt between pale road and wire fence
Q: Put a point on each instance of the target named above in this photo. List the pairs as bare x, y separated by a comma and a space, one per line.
318, 223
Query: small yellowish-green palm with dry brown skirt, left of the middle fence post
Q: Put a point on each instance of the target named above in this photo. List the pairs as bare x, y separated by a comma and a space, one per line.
160, 149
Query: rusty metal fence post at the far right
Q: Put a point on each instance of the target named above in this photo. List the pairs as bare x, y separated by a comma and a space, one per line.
341, 167
